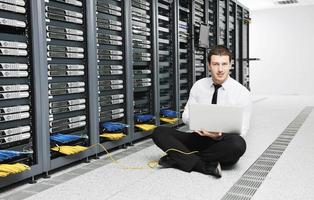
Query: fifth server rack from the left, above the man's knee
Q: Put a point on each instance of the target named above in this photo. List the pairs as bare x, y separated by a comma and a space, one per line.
166, 75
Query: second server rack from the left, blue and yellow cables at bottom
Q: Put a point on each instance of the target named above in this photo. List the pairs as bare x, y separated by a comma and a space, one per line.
67, 69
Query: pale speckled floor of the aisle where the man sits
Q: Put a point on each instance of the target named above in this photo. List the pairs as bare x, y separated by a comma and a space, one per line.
289, 178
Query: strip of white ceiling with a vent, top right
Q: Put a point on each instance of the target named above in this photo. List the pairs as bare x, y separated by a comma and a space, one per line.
268, 4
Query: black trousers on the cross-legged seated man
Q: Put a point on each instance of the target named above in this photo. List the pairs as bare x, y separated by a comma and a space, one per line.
227, 151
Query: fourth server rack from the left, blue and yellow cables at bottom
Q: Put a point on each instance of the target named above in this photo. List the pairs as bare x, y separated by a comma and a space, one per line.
143, 45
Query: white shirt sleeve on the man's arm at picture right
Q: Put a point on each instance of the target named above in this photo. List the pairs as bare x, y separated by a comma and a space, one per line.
246, 99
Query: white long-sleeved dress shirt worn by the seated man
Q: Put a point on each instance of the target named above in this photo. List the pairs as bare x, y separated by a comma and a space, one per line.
231, 93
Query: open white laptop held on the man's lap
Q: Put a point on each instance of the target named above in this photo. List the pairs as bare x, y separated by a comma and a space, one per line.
216, 118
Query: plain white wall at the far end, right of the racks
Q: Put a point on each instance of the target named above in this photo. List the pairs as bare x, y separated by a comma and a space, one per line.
284, 41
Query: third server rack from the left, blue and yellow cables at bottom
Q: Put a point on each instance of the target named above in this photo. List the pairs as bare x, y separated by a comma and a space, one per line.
112, 67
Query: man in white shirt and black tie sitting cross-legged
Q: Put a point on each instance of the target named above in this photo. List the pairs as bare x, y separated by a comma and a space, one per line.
213, 148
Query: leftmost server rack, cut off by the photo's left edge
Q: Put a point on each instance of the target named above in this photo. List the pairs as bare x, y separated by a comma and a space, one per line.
16, 81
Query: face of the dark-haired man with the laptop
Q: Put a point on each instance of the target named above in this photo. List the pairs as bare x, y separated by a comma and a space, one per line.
219, 67
